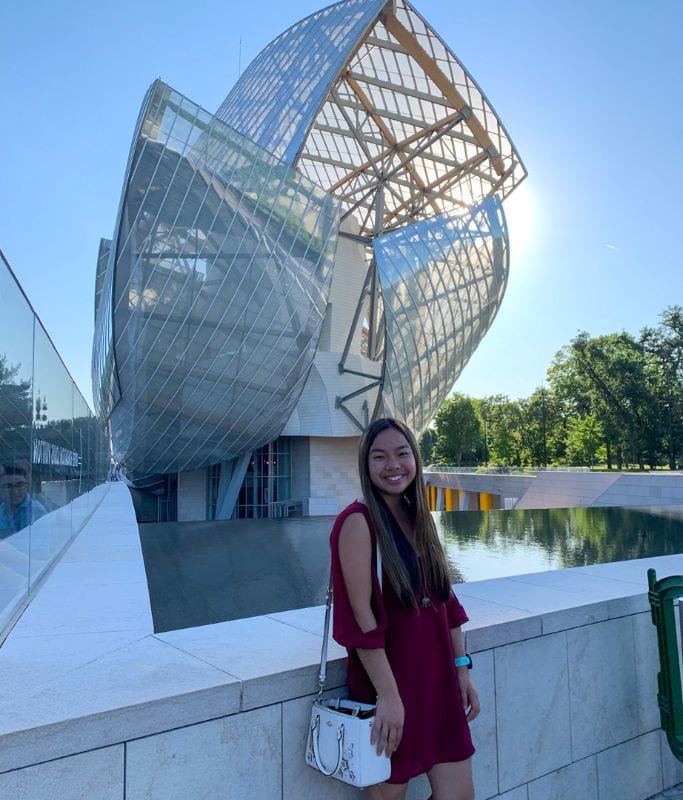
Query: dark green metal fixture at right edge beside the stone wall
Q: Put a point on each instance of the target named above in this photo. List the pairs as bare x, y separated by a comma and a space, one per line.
662, 595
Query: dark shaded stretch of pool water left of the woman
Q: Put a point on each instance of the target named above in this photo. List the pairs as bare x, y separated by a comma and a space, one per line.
204, 572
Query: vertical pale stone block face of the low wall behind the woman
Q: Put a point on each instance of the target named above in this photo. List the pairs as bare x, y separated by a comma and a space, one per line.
570, 714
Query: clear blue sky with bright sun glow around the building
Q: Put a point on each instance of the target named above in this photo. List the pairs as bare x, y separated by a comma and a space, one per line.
588, 91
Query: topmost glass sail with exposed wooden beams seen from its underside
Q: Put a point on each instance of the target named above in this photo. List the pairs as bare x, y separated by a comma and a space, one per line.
404, 117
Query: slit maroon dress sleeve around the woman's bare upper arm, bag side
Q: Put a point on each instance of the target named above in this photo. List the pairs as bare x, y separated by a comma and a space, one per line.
345, 629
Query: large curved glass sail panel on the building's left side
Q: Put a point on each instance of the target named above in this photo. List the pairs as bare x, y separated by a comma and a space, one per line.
222, 265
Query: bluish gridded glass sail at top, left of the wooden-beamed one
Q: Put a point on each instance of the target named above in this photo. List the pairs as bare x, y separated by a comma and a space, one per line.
277, 97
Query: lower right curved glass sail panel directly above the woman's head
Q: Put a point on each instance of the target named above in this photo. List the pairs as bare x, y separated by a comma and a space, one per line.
442, 282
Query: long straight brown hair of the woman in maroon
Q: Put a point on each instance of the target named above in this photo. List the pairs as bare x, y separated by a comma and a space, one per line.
427, 545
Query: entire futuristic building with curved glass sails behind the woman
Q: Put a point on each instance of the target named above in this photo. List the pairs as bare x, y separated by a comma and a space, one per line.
329, 246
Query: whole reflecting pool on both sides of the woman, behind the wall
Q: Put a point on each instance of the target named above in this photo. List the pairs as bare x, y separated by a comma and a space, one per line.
204, 572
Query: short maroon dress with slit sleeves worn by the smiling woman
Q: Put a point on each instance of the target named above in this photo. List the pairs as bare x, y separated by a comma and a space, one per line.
419, 649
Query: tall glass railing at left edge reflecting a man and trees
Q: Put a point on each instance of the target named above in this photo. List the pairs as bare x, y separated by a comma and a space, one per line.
53, 450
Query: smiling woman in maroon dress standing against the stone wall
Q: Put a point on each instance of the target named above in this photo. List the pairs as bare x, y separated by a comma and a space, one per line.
403, 639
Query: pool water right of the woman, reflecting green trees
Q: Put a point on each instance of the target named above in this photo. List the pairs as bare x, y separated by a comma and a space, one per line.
482, 544
